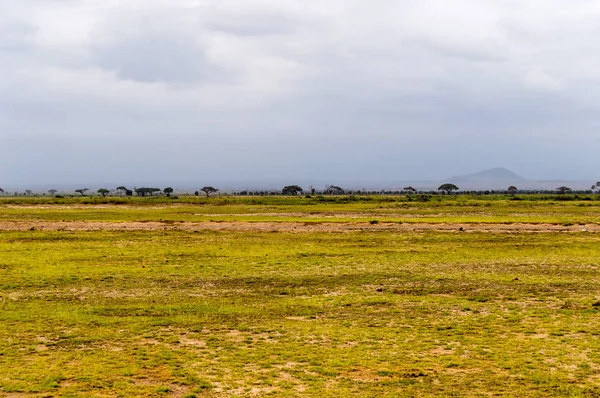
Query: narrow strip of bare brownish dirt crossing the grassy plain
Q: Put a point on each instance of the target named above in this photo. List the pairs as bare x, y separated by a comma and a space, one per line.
289, 226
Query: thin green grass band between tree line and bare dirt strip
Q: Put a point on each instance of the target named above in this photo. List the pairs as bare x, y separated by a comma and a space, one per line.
441, 209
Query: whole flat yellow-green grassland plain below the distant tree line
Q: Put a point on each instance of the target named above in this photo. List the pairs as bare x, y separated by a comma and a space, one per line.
360, 310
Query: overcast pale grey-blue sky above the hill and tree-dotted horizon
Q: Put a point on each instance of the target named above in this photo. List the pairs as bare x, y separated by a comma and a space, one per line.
333, 90
